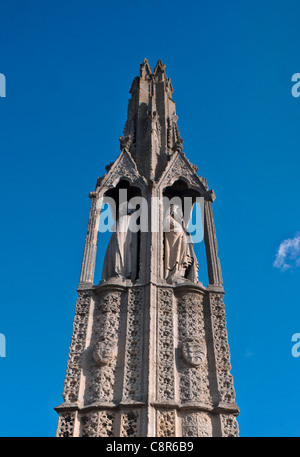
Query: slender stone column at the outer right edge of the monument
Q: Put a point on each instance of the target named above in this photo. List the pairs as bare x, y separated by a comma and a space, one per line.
211, 246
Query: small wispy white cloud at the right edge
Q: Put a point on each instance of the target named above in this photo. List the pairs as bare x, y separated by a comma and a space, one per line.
288, 254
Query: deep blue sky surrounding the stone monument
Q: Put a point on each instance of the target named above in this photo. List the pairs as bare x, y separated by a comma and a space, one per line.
69, 67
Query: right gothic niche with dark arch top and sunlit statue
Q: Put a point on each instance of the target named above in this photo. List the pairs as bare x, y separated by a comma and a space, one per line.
180, 262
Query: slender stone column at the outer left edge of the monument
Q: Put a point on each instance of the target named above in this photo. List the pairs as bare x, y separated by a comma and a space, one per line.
90, 249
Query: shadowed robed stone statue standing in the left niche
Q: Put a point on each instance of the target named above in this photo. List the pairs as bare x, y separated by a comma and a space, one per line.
121, 258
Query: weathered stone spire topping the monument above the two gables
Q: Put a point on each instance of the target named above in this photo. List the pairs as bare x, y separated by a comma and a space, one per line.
152, 121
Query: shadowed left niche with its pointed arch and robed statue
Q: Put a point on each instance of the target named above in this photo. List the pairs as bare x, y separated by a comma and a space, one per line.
122, 254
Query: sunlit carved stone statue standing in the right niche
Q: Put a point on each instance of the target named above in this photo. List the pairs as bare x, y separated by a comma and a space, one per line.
180, 261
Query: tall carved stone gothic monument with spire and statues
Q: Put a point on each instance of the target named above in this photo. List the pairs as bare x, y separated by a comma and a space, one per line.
149, 354
